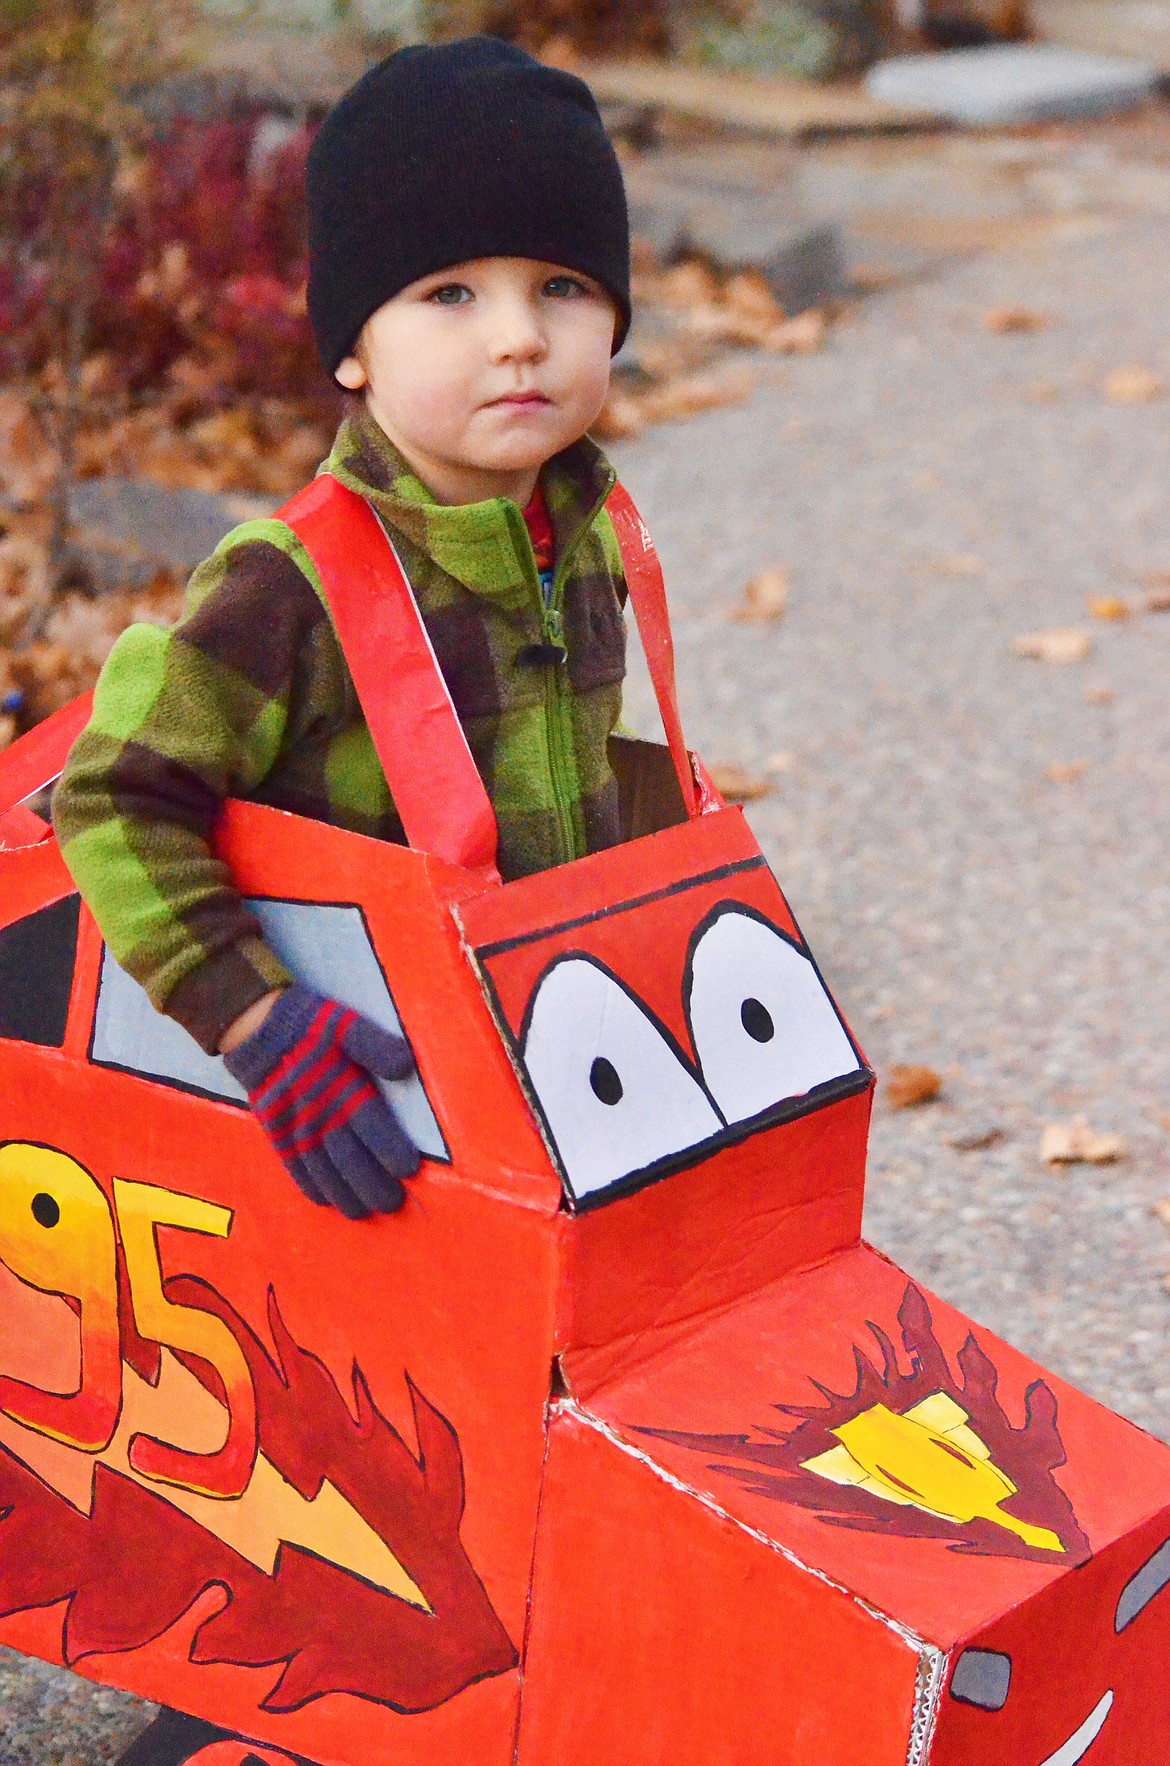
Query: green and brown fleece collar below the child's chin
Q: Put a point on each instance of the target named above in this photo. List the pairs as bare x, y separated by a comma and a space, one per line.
484, 547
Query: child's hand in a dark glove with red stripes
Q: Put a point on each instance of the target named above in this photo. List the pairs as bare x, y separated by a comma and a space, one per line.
308, 1076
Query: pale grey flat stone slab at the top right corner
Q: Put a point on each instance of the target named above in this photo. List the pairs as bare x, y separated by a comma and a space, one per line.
1012, 84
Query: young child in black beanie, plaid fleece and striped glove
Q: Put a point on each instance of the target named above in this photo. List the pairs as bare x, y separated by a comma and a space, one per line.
470, 280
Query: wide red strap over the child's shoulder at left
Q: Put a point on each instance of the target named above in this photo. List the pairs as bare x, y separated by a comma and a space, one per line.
400, 684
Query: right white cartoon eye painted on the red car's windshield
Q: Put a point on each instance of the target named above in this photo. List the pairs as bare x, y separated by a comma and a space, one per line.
765, 1029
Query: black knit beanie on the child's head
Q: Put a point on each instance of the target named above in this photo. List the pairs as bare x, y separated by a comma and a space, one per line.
454, 153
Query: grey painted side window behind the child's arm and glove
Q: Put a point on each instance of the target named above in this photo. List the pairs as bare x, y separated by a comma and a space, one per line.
327, 947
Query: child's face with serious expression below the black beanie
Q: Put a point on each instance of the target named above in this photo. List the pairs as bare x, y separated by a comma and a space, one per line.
481, 374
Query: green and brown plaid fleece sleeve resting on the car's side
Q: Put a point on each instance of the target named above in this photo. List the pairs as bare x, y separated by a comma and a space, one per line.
184, 720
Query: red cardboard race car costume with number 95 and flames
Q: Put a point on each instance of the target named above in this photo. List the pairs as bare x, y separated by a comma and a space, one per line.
619, 1444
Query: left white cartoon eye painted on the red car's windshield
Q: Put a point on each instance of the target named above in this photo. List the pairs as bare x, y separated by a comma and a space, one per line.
613, 1092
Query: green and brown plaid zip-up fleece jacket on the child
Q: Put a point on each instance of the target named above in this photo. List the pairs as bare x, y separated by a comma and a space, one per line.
251, 697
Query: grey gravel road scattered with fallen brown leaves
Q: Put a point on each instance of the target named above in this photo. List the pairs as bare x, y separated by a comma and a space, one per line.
938, 492
